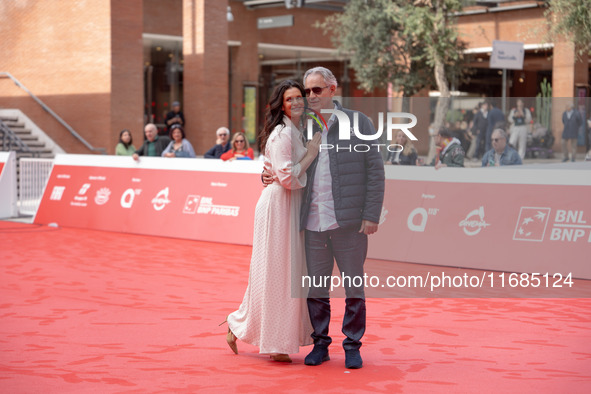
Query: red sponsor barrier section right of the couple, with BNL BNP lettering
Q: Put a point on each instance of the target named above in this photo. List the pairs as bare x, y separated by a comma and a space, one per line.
507, 219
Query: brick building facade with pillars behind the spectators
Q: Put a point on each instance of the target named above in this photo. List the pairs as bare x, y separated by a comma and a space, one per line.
105, 65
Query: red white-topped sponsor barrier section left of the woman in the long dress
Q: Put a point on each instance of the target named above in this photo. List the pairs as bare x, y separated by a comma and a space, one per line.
200, 199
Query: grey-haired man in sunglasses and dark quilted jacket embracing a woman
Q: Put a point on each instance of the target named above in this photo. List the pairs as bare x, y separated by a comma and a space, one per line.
342, 206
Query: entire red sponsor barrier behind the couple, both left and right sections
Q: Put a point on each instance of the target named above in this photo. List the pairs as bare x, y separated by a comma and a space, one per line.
507, 219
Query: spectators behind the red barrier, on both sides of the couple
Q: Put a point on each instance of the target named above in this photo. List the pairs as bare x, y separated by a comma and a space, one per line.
483, 134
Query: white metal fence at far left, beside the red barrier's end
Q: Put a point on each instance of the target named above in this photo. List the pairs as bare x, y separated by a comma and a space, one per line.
33, 176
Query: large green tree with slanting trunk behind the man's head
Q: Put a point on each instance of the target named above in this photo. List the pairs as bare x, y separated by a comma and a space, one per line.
409, 44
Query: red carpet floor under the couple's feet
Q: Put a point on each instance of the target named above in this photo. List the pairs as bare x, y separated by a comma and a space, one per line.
98, 312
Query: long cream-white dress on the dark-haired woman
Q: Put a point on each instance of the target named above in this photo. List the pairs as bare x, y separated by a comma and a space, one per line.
269, 316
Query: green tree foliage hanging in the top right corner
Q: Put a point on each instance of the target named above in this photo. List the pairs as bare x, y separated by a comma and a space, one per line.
570, 19
